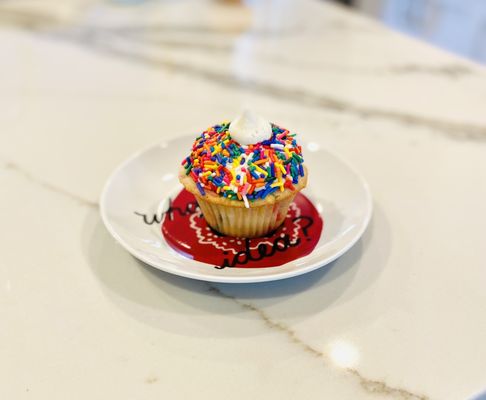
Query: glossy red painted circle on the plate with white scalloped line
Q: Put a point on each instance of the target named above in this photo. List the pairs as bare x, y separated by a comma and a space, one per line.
186, 230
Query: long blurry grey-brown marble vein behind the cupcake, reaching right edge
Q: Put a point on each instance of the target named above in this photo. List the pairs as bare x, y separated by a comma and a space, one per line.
455, 130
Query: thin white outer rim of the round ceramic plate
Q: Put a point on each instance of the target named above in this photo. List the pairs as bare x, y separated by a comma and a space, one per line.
225, 278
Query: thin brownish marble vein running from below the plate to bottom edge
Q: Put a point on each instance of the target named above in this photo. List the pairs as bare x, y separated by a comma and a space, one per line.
369, 385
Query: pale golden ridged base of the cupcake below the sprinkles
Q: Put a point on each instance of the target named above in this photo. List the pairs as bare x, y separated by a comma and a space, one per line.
245, 222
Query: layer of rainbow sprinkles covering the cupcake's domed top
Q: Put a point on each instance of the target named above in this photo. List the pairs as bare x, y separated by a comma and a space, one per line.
246, 173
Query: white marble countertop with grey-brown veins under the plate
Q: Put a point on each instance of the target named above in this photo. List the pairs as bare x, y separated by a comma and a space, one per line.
84, 84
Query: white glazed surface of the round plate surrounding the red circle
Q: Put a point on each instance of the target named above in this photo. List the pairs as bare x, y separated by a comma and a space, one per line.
149, 177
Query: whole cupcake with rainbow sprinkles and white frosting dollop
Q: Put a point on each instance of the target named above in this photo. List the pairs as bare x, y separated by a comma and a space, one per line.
244, 175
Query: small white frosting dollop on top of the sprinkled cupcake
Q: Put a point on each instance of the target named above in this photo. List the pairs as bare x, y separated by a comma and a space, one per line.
250, 128
